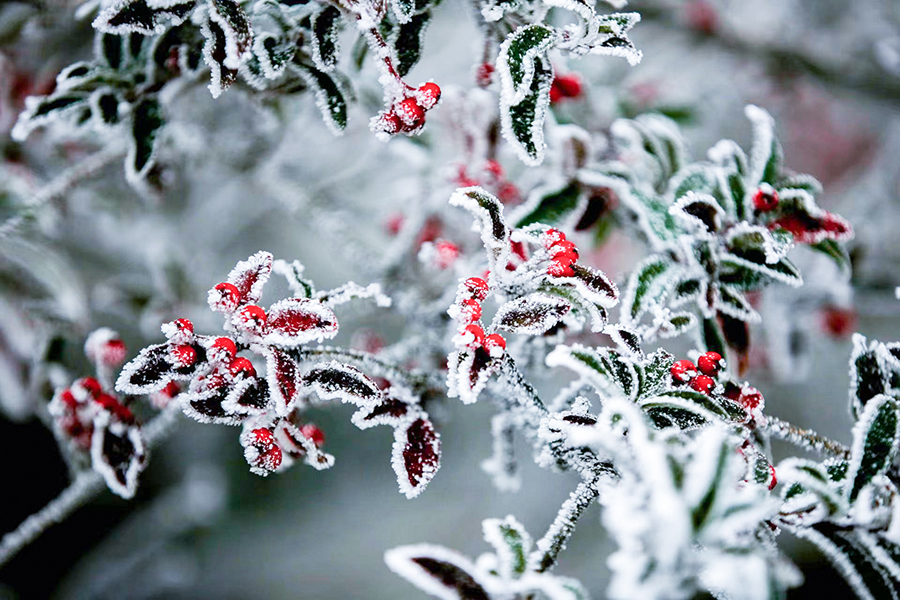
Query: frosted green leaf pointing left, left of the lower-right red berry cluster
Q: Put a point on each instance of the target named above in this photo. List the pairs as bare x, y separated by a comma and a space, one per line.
603, 368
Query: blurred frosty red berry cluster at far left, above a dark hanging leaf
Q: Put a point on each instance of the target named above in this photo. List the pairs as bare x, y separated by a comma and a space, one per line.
74, 409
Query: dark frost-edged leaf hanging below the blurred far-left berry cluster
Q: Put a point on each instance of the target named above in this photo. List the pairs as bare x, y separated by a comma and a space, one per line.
117, 453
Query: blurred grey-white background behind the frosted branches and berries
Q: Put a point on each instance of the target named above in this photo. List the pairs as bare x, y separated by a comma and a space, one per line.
240, 176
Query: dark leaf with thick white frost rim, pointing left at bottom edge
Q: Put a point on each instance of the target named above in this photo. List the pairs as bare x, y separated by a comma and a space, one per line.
437, 571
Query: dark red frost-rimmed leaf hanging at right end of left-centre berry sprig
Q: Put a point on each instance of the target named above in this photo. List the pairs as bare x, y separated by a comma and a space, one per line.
416, 455
